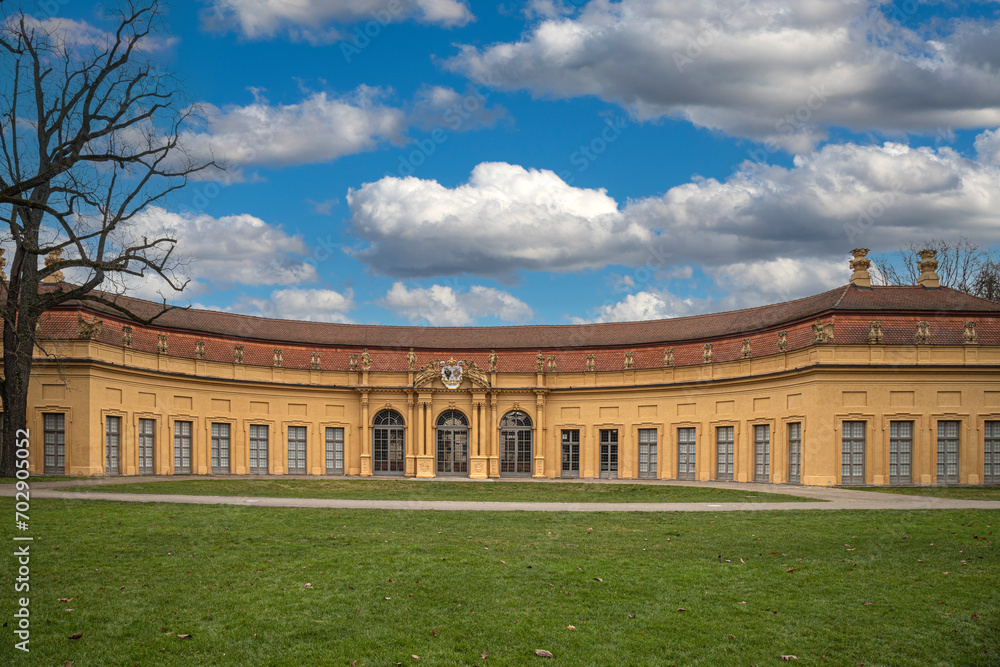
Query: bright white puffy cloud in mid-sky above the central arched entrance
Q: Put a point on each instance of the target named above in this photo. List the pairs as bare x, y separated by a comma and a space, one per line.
506, 218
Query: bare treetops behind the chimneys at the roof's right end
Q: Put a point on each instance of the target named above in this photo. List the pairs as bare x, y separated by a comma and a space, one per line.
963, 265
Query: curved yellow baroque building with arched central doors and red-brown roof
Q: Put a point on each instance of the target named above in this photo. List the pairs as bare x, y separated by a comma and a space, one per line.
858, 385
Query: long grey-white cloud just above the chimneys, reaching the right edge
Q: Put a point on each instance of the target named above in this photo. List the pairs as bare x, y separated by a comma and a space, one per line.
828, 202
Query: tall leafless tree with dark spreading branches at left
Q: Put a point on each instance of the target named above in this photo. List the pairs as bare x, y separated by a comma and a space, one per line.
89, 138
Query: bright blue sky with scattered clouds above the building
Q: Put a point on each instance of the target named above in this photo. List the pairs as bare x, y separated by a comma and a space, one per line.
449, 163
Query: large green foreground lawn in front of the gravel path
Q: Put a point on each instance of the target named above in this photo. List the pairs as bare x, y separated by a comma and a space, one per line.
834, 588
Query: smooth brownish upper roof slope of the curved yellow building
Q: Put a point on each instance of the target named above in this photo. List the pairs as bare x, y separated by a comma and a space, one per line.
909, 300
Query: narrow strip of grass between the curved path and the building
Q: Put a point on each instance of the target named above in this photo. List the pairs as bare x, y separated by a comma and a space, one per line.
397, 489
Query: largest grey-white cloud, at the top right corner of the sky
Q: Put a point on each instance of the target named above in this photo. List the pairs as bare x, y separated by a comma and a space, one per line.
780, 71
